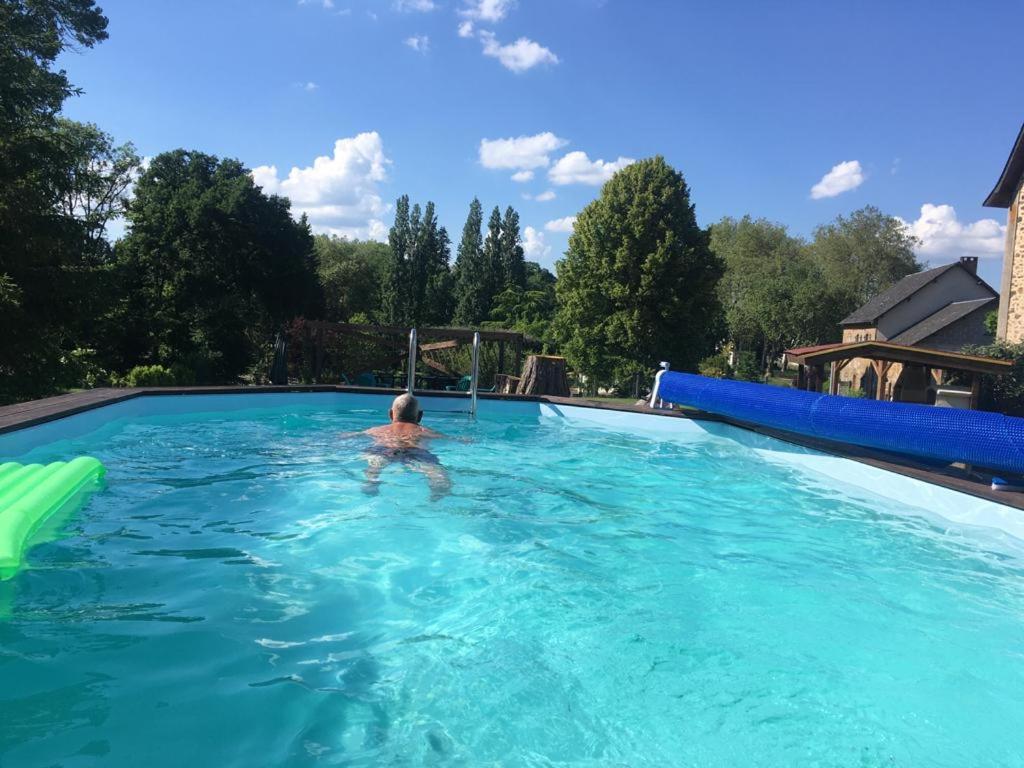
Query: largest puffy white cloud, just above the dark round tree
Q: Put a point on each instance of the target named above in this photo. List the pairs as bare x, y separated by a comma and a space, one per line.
339, 193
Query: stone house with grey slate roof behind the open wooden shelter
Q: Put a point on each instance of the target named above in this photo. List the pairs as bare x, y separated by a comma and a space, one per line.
943, 309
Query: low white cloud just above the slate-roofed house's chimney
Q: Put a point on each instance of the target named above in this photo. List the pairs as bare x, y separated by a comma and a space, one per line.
943, 236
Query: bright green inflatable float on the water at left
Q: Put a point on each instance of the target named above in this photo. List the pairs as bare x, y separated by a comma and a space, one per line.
30, 494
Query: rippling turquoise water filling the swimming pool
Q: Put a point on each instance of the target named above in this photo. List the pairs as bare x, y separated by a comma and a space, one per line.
583, 598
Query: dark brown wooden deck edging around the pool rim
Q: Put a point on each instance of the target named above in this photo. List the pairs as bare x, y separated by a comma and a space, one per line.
975, 484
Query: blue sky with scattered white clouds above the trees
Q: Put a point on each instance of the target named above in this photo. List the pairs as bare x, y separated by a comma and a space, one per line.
902, 105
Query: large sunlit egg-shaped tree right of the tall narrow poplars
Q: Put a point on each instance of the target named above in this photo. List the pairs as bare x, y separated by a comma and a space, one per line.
638, 282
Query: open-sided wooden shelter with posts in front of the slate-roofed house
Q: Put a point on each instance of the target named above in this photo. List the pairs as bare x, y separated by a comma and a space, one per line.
882, 356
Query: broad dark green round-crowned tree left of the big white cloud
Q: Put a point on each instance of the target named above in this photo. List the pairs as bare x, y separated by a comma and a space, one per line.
211, 268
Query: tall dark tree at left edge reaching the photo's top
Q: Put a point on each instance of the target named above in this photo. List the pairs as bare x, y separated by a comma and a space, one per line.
44, 252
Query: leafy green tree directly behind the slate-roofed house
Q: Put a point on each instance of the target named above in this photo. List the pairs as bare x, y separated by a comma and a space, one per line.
863, 254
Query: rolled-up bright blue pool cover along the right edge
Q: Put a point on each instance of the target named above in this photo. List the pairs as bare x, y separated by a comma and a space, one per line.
947, 435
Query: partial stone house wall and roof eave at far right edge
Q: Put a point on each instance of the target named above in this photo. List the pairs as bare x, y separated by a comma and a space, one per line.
1009, 194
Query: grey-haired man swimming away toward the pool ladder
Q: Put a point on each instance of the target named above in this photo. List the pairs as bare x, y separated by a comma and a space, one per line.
404, 442
